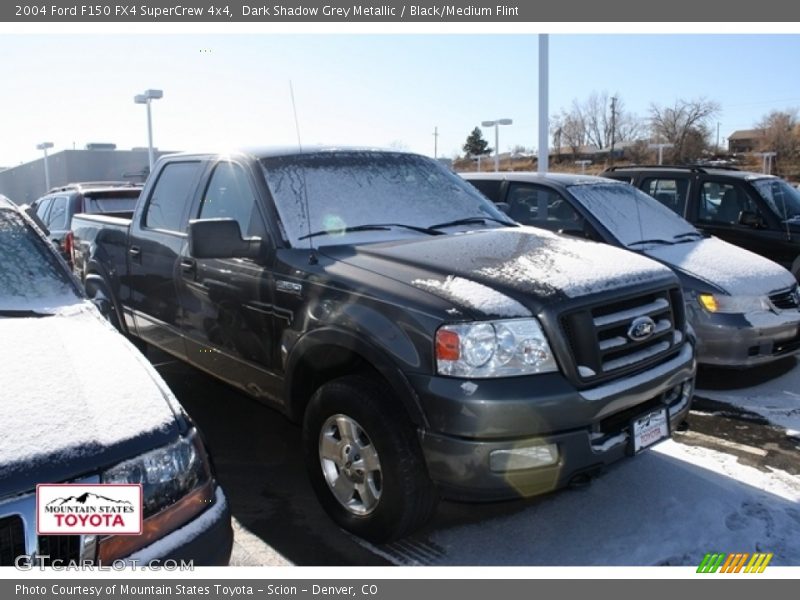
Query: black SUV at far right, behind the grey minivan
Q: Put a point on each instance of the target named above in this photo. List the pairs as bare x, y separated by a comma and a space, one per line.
758, 212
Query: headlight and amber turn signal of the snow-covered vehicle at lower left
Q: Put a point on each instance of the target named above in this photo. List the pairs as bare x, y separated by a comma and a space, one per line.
176, 486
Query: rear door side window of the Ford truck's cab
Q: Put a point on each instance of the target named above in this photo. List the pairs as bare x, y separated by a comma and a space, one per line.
168, 200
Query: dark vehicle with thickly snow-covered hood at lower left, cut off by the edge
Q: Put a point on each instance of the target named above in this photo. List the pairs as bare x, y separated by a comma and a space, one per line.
81, 405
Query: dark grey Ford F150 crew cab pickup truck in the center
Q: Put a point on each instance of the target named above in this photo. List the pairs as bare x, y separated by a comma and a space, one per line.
428, 345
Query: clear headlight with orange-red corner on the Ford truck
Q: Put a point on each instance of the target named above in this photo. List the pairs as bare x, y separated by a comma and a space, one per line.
485, 349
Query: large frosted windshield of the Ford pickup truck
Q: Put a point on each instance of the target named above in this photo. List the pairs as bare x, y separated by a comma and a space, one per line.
360, 197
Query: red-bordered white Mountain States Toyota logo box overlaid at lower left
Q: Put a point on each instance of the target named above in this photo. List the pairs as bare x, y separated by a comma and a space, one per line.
79, 509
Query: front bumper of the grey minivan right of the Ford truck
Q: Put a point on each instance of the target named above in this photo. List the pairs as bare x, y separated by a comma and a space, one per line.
735, 340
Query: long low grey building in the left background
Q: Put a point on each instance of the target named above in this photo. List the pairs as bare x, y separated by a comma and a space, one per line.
98, 162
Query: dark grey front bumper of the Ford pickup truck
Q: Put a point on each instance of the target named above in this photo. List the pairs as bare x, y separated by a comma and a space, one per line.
590, 428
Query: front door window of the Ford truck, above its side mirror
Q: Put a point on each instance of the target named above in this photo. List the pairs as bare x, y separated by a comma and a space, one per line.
229, 195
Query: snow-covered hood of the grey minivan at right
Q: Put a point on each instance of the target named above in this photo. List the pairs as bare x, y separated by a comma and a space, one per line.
737, 271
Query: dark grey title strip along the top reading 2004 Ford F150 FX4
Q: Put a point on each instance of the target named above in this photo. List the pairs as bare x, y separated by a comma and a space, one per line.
341, 11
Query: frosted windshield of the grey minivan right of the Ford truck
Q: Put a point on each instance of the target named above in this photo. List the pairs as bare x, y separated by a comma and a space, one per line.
633, 217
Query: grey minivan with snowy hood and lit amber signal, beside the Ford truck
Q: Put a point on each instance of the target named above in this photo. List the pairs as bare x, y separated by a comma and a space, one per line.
744, 308
